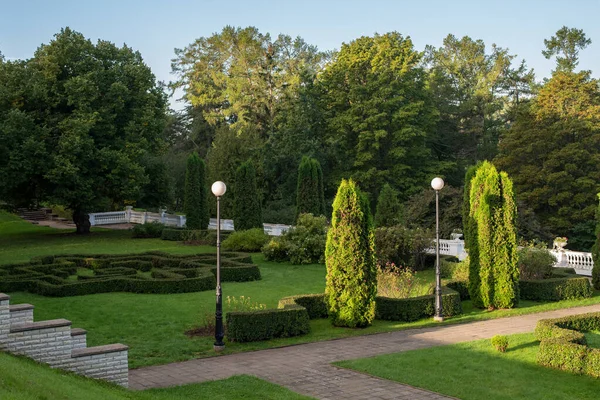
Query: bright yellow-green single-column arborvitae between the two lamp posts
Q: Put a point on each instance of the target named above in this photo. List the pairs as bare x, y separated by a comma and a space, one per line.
351, 284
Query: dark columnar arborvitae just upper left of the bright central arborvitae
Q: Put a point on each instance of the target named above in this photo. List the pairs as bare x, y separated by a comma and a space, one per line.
309, 192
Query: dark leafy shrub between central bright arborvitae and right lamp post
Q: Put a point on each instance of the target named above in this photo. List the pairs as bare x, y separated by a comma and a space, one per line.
403, 246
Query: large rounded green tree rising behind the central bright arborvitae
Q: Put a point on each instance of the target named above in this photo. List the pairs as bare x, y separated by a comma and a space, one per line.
378, 114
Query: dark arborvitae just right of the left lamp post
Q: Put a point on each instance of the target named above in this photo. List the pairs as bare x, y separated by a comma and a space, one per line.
246, 203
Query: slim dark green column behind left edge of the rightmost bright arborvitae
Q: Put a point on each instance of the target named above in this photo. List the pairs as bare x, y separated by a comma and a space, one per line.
470, 238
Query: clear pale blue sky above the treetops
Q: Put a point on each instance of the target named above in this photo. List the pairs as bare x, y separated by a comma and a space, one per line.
155, 27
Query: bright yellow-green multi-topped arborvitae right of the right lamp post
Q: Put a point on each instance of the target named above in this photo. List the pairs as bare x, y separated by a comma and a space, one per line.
493, 208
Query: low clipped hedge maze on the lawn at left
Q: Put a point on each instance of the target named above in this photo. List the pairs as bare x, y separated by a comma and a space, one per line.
151, 272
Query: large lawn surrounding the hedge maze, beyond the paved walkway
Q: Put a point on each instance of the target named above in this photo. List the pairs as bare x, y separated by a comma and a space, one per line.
143, 321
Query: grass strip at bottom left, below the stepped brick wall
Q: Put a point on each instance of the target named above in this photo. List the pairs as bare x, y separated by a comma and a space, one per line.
23, 379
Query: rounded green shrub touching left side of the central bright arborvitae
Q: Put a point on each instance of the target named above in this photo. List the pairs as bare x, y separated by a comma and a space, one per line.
301, 244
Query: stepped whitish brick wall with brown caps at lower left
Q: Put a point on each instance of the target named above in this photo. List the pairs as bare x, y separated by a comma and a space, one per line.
55, 343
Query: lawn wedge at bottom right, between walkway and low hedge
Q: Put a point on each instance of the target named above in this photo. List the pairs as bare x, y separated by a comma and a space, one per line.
474, 370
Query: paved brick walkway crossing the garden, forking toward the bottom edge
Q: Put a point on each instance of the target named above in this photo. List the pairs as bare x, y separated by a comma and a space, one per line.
307, 368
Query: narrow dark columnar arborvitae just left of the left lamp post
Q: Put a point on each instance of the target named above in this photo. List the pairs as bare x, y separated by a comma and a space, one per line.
195, 201
